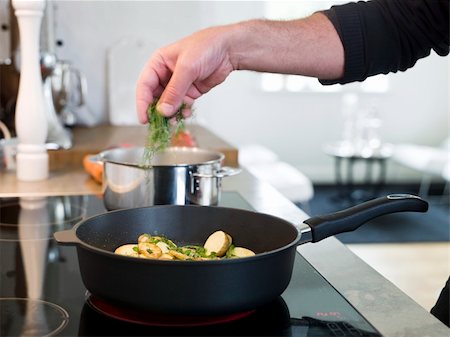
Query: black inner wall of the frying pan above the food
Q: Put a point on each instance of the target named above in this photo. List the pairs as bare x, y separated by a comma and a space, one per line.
187, 225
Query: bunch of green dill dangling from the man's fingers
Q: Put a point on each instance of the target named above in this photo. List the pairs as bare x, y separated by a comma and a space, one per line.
160, 131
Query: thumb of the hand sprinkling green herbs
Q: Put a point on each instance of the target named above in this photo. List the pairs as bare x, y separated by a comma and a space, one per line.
175, 91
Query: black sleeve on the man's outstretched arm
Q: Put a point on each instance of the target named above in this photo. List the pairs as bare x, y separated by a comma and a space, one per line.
382, 36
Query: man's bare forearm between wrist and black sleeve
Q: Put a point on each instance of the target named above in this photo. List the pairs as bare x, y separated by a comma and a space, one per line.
309, 47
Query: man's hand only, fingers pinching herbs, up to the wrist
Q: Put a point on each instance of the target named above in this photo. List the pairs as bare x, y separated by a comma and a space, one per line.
183, 71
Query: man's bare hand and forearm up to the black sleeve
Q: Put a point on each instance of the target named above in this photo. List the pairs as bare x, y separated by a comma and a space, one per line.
183, 71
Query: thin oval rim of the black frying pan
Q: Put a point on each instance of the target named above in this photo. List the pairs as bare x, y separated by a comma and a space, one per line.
263, 255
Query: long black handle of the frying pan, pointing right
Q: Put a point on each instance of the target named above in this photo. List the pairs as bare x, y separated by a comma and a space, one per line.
352, 218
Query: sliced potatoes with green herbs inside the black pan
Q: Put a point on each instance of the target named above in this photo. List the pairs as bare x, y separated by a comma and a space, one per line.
219, 245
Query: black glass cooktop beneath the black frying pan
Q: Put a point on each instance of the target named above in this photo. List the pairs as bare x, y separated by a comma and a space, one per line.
42, 294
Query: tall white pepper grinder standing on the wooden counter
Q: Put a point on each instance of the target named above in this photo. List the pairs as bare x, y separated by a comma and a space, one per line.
31, 118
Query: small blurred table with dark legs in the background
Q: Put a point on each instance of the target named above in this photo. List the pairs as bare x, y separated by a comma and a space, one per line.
350, 189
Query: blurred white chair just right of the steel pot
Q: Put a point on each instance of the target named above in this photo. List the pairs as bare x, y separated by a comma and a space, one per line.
266, 166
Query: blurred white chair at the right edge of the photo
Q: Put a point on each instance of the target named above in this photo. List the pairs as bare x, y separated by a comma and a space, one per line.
431, 161
